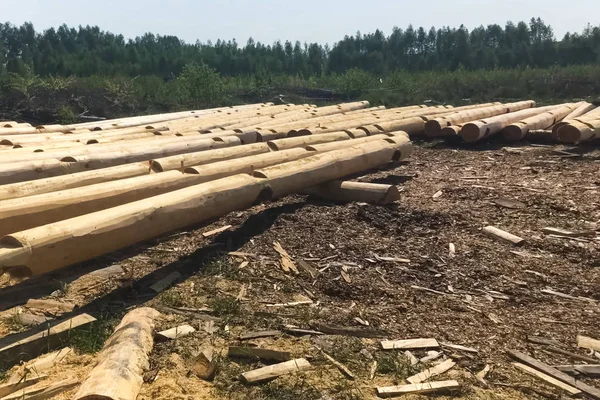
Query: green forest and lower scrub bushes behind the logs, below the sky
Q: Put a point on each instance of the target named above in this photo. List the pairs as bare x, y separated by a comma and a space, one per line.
63, 73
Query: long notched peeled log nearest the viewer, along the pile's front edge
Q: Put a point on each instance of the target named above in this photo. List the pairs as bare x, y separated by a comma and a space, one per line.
49, 247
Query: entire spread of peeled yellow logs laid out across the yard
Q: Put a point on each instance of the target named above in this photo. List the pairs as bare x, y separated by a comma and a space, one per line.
69, 193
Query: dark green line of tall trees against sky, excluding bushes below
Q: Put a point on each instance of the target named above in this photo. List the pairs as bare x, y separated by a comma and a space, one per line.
88, 51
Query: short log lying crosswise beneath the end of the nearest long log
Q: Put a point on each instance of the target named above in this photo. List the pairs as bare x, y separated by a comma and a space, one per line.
344, 191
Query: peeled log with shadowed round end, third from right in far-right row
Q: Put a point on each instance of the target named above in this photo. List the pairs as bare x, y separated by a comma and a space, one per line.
477, 130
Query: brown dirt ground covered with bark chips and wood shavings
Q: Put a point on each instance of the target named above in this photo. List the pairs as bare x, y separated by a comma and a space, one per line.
487, 295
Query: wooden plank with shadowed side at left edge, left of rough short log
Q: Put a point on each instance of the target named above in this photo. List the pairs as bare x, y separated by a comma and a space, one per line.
30, 345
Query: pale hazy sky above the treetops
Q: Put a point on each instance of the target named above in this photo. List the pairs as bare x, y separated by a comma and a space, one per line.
323, 21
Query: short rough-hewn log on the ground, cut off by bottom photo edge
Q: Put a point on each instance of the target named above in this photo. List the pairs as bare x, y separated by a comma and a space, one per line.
124, 359
